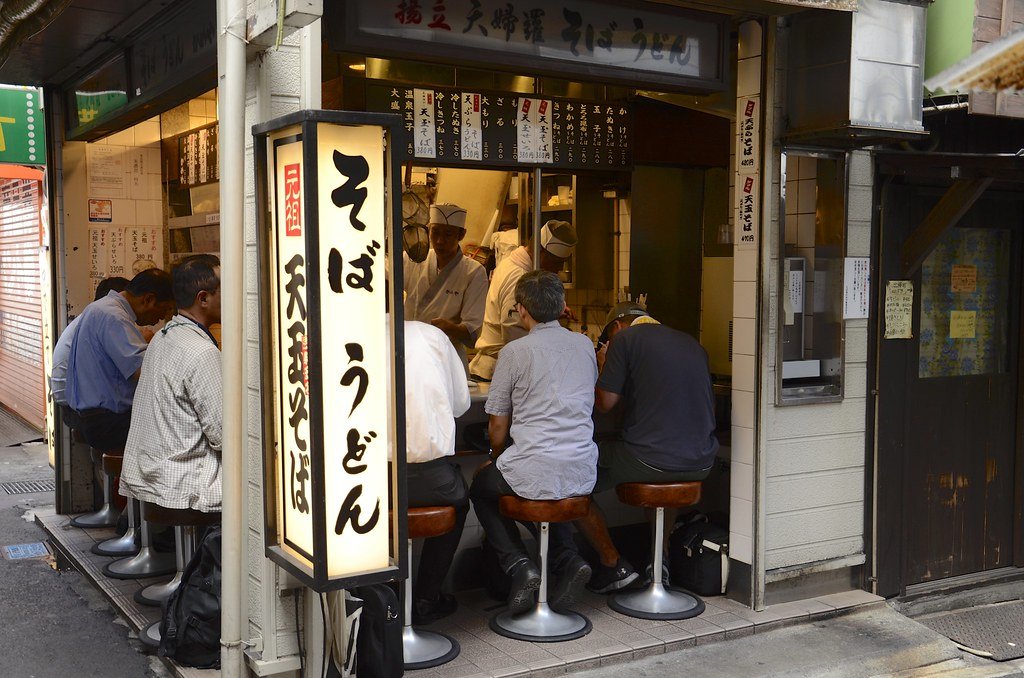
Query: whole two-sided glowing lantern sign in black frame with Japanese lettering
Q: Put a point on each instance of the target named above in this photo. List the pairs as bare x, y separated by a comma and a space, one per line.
334, 444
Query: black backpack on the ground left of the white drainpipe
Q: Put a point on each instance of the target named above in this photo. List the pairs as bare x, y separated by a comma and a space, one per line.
190, 626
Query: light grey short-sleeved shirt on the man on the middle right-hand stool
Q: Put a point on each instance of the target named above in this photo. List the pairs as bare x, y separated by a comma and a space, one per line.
546, 383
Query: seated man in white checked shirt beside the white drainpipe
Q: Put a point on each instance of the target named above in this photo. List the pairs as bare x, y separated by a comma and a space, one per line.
173, 458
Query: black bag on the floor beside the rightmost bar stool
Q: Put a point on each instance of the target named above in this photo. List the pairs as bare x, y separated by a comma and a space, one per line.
700, 556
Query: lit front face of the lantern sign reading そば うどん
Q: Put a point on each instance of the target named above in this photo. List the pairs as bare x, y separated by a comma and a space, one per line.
351, 162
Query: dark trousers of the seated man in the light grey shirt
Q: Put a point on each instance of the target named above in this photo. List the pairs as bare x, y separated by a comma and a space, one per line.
502, 532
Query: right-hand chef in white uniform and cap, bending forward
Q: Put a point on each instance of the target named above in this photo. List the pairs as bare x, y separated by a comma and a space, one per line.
501, 322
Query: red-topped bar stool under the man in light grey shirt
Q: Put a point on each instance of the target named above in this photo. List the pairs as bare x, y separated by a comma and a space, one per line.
542, 624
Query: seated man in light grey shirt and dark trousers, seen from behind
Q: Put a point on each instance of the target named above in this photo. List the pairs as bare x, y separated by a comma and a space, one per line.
543, 395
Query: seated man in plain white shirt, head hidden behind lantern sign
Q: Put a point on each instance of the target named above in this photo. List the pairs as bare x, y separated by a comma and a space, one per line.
436, 395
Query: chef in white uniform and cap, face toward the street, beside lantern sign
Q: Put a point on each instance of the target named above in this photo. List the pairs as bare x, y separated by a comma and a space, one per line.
447, 289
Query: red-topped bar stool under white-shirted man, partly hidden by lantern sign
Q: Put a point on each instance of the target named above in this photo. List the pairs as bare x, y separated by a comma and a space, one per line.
423, 650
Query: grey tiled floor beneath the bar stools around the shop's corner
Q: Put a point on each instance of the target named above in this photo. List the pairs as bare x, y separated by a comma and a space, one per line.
615, 638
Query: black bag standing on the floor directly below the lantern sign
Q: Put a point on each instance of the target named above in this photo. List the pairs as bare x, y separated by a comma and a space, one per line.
378, 646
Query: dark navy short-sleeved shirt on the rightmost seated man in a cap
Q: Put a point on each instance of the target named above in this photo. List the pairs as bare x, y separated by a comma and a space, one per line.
662, 375
